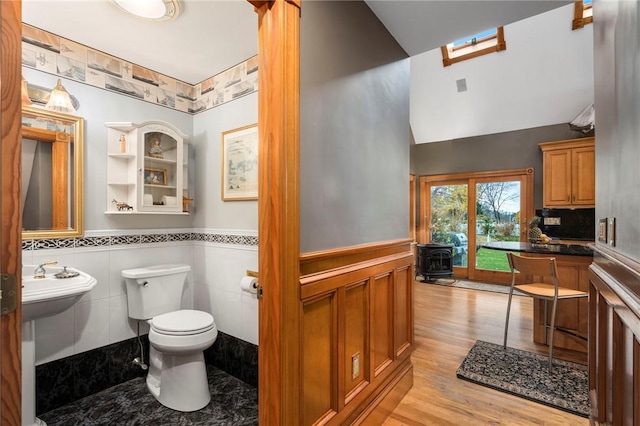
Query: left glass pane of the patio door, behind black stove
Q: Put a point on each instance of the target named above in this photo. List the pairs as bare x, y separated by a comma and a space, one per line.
449, 219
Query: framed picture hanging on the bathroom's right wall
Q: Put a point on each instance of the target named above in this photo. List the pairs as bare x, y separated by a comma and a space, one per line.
240, 164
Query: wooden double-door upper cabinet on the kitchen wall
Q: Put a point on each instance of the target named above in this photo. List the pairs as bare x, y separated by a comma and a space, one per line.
569, 173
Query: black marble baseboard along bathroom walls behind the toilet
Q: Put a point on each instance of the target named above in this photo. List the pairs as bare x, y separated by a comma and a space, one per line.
69, 379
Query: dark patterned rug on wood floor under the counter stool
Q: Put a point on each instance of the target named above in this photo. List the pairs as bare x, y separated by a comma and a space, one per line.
526, 374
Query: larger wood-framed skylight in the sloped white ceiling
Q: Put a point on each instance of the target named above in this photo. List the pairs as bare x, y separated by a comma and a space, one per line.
473, 46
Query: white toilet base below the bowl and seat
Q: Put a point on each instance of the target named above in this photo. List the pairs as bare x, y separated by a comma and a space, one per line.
179, 382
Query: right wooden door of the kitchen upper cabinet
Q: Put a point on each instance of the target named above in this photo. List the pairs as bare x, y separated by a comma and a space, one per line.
583, 177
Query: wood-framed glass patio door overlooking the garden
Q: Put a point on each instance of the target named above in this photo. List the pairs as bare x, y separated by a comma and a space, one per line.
470, 209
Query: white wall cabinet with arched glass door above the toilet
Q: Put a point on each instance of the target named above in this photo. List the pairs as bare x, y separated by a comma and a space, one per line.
146, 168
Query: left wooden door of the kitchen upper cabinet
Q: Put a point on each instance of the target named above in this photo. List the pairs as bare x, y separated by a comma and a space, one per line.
557, 178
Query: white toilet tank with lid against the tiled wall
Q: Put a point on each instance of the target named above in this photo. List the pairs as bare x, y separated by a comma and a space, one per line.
154, 290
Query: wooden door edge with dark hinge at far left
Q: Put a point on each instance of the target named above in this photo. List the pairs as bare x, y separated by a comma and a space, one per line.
11, 223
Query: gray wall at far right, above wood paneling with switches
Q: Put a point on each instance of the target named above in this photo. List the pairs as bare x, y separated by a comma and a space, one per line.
617, 101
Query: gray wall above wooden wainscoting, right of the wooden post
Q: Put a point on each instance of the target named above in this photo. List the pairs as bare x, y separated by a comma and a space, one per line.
354, 128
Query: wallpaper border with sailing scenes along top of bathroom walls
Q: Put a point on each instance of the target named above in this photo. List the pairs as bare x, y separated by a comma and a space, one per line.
56, 55
